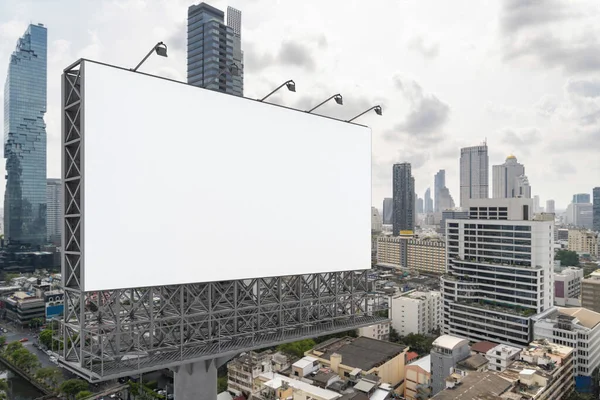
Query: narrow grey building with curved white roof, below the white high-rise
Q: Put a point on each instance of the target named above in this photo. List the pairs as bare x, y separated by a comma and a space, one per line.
446, 352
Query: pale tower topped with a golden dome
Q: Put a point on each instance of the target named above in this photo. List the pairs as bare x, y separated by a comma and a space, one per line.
509, 180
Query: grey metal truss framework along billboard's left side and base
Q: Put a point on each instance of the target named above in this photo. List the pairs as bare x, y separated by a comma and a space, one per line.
114, 333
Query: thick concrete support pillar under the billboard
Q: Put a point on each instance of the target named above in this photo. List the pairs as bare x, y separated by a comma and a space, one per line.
197, 381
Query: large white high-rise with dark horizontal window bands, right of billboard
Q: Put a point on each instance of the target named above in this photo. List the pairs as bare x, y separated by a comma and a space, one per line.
500, 271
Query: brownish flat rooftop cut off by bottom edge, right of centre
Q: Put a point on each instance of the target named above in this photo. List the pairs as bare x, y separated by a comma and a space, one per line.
476, 386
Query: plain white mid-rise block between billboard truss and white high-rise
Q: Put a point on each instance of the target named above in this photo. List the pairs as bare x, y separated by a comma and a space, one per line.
416, 312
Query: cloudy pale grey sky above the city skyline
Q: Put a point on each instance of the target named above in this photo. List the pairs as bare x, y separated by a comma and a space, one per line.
522, 74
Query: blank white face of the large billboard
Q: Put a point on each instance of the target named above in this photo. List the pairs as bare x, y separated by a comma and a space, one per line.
185, 185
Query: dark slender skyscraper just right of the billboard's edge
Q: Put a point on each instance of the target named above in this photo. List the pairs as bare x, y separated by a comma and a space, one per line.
404, 199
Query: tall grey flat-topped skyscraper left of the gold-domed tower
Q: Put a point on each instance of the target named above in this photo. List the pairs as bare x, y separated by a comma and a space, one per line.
474, 173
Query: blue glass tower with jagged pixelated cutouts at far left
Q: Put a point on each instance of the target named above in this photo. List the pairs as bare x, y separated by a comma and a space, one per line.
25, 139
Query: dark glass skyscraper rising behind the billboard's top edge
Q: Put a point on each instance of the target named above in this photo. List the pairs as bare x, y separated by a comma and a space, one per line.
214, 53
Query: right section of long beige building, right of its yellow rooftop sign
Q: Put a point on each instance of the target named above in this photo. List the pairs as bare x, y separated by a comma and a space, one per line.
427, 255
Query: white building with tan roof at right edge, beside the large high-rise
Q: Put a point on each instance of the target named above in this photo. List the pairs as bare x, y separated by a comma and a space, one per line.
578, 328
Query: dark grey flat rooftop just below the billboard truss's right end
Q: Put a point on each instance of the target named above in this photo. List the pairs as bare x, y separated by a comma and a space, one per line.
362, 352
